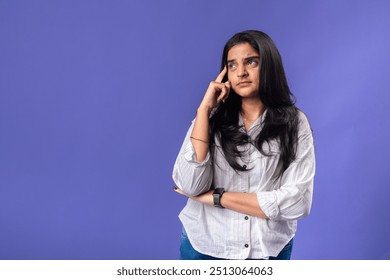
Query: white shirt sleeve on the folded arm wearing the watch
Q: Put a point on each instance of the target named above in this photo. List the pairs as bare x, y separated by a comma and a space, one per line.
294, 197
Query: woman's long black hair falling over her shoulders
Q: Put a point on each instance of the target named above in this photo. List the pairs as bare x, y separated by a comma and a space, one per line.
281, 118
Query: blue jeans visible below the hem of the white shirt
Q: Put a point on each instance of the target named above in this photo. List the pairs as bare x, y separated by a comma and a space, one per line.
187, 252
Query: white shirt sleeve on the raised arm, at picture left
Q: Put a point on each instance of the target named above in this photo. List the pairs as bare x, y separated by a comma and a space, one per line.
191, 176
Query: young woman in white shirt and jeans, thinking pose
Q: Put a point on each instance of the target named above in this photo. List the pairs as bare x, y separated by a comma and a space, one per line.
247, 162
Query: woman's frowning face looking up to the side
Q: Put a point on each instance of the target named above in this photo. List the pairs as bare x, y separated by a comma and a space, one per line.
243, 64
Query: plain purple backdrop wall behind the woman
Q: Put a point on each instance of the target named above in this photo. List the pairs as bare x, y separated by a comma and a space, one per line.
96, 97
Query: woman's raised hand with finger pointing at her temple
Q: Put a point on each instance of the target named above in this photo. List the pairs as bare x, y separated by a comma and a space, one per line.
216, 93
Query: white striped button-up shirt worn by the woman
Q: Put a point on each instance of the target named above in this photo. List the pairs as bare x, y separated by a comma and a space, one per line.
224, 233
